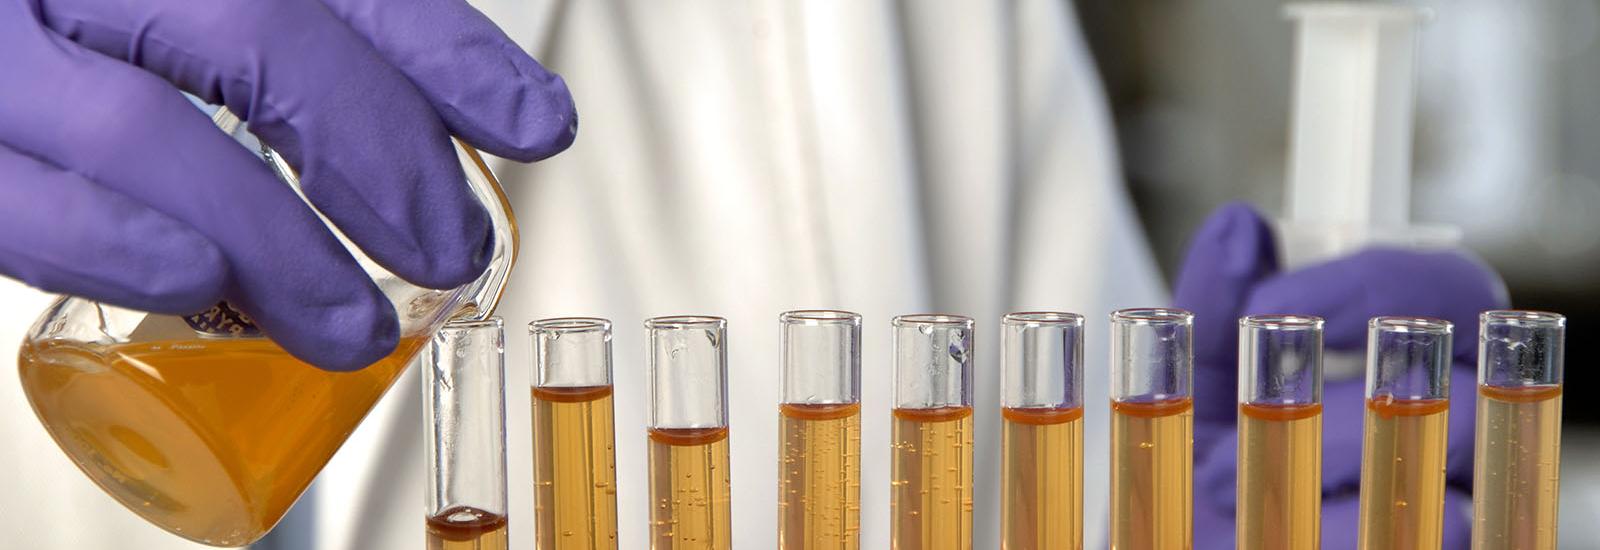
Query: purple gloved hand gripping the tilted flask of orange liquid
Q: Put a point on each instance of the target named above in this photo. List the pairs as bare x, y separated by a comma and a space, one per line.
114, 188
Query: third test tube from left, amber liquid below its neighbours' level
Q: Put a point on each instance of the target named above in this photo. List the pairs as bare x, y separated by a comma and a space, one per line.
690, 487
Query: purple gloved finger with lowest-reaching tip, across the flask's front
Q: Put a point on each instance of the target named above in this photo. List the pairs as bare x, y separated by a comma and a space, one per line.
137, 137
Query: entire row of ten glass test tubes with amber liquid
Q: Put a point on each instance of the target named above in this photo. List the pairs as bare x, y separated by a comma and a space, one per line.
1279, 485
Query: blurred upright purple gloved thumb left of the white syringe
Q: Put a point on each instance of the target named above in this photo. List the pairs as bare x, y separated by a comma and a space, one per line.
1231, 253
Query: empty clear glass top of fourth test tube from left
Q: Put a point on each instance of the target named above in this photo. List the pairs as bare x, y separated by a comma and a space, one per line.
822, 357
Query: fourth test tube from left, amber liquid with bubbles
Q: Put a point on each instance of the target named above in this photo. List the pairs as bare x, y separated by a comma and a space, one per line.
820, 431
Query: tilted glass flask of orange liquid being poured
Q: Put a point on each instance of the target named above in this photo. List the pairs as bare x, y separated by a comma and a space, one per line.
199, 423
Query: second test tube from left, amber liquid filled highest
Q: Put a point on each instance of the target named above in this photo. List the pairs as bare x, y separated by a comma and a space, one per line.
574, 436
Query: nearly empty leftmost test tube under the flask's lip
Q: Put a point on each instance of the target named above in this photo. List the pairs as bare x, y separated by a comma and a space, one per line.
465, 413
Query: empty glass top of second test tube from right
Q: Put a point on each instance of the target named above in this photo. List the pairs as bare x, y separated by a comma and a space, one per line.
1409, 359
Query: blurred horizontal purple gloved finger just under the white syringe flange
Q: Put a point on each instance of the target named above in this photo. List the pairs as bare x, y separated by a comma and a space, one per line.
1353, 290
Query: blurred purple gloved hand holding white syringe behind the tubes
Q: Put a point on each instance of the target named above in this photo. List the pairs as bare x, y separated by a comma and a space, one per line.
1233, 271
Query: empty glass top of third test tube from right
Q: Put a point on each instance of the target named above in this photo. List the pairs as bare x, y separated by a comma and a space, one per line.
1281, 361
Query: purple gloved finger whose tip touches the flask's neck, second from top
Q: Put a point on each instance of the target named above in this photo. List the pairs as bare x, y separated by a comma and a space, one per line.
370, 151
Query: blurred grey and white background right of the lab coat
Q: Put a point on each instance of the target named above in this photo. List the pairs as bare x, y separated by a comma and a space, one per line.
1508, 149
